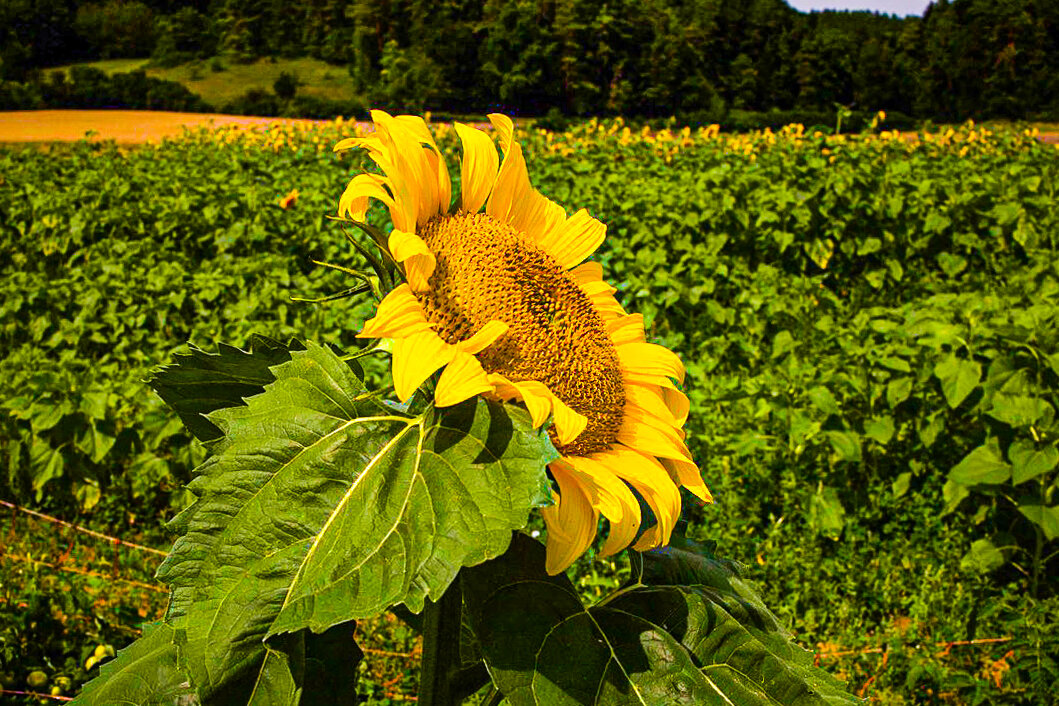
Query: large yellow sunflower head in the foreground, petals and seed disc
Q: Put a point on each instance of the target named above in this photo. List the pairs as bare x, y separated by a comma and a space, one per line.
501, 299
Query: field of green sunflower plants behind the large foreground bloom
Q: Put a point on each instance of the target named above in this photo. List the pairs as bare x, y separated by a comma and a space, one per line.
871, 327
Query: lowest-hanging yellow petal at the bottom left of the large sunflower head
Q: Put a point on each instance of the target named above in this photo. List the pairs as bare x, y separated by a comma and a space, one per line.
571, 523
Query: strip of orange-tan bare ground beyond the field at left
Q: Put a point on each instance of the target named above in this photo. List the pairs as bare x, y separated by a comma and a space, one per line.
124, 126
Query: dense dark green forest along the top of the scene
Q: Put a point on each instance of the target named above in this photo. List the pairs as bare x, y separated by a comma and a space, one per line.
964, 59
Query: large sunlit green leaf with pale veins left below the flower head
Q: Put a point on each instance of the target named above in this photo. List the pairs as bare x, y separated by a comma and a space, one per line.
318, 509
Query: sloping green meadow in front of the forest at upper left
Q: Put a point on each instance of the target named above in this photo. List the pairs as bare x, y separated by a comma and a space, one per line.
318, 79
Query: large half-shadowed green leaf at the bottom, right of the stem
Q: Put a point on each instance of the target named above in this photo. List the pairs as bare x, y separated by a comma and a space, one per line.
704, 644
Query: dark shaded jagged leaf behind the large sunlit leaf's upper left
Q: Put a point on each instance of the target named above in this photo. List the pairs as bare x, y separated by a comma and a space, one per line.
202, 383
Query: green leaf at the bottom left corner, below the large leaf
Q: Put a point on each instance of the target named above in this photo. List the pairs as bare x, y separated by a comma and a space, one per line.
146, 674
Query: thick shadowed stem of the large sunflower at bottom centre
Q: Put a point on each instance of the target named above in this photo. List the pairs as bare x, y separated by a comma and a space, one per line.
441, 649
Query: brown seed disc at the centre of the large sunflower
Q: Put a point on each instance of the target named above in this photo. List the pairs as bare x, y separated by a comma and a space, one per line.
487, 270
